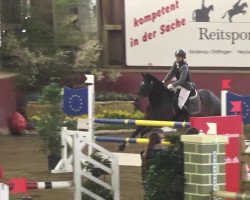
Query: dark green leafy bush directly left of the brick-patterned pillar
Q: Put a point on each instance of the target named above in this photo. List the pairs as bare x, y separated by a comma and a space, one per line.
165, 177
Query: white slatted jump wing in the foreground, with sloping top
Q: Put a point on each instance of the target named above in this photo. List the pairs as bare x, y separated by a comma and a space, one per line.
80, 142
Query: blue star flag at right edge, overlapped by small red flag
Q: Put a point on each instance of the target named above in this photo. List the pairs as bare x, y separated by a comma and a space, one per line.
234, 108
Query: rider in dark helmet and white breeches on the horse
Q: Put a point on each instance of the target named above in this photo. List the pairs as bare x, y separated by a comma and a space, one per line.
180, 71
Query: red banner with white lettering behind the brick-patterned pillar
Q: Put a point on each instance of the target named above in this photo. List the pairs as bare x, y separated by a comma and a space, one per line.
233, 127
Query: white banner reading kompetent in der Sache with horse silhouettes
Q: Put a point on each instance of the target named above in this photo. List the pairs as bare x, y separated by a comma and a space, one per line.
213, 33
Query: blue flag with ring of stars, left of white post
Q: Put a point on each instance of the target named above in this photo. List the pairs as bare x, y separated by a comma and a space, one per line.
75, 101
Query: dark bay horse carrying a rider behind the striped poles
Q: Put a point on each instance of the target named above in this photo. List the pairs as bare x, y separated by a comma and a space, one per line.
161, 104
